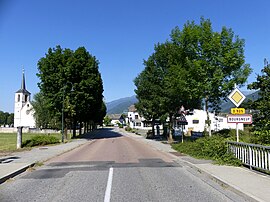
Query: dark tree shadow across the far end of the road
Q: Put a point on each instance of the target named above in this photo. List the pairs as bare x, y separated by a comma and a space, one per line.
101, 133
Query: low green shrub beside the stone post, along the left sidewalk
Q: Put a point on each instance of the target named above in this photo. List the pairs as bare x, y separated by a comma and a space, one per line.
40, 140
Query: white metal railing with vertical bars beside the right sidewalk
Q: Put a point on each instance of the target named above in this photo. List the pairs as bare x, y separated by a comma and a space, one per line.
252, 155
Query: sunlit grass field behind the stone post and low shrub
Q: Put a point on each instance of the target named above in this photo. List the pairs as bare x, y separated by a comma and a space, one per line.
8, 141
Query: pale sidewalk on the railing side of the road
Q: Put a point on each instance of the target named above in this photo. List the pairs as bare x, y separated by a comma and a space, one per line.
250, 184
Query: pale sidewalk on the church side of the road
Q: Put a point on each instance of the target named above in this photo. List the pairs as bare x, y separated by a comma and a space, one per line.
18, 162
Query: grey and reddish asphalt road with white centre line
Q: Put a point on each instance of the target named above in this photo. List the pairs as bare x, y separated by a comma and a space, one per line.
116, 168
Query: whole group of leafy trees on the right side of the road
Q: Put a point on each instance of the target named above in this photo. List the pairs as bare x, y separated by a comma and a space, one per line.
196, 65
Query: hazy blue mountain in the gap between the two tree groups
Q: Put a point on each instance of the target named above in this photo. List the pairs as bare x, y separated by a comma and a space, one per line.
121, 105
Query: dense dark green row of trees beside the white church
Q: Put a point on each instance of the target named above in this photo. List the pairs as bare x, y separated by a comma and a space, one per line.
71, 87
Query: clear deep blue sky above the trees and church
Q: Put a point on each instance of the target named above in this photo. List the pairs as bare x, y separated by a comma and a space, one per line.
120, 33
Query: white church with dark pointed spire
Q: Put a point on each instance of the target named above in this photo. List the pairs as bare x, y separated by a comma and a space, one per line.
23, 110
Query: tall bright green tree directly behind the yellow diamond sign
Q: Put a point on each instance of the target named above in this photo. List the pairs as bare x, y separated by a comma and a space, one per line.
215, 61
